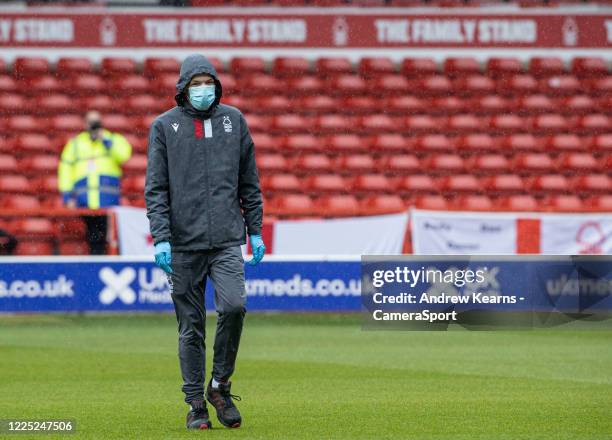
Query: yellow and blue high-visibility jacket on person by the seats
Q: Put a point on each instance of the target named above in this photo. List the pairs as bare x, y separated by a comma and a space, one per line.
89, 171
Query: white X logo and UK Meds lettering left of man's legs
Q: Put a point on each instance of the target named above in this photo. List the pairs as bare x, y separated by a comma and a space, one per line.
132, 286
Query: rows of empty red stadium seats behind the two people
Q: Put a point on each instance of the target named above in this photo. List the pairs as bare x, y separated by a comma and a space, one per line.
336, 138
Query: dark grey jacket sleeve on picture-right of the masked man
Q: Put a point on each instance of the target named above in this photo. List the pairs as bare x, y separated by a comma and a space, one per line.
249, 190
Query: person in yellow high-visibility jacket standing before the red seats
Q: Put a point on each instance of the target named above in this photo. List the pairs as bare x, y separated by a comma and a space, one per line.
89, 174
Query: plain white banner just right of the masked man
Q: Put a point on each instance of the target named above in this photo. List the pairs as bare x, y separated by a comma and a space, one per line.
382, 234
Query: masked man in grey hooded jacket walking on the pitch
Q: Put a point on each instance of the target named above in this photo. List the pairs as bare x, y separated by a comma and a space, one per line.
203, 196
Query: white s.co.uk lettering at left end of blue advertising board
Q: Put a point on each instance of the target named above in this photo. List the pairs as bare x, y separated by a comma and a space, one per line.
57, 288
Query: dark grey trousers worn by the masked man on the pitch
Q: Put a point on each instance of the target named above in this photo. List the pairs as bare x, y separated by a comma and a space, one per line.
188, 283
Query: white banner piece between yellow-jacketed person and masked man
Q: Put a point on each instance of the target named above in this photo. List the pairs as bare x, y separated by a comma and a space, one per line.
133, 231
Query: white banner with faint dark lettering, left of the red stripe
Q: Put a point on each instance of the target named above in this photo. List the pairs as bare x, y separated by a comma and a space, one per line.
447, 233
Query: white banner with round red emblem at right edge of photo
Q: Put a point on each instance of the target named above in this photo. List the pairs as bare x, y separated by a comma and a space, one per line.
573, 234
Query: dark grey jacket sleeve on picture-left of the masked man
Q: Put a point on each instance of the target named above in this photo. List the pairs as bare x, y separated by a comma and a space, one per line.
156, 186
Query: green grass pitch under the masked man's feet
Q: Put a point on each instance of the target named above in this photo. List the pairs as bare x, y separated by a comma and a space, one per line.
311, 377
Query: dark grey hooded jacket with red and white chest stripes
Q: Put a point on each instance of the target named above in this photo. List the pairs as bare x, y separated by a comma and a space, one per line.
202, 186
